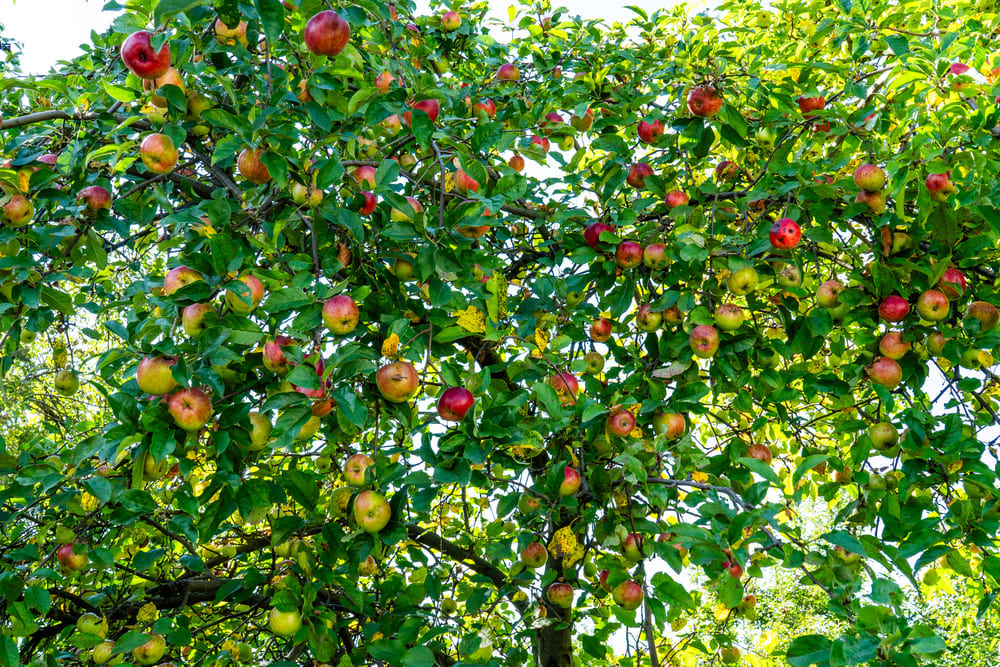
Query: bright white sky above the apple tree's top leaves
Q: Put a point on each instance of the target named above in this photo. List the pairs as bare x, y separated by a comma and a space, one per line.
52, 30
